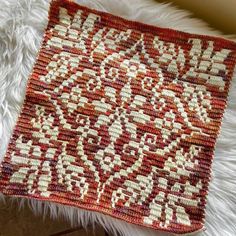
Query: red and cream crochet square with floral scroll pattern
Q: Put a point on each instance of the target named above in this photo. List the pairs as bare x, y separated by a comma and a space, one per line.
120, 118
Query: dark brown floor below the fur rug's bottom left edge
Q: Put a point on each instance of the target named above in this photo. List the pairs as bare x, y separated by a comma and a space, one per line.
26, 223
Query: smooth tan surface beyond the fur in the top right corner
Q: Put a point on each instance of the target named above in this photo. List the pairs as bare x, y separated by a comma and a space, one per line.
219, 14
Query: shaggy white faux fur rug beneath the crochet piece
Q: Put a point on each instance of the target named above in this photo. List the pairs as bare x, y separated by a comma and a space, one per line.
21, 29
